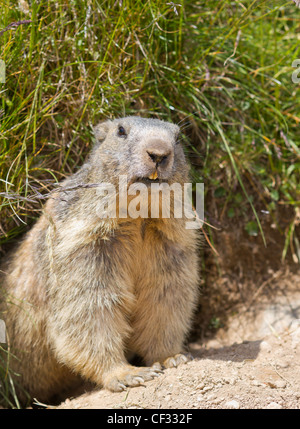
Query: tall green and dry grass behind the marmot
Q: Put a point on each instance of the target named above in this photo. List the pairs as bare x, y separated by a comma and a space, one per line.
221, 69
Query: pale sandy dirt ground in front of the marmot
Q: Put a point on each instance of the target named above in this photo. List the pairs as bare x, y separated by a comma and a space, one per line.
252, 363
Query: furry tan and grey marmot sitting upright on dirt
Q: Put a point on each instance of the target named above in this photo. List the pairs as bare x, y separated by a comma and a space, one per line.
82, 292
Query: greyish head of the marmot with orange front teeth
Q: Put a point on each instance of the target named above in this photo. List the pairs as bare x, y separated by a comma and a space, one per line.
146, 150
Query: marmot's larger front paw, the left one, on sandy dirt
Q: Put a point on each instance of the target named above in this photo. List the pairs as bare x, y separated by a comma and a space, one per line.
130, 376
